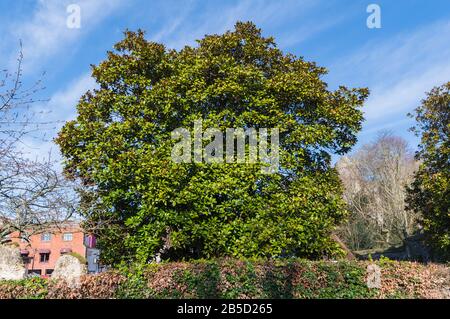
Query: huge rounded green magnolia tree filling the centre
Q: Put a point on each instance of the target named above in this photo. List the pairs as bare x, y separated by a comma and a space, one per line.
142, 204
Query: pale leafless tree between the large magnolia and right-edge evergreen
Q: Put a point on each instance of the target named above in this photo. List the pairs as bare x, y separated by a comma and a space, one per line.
375, 178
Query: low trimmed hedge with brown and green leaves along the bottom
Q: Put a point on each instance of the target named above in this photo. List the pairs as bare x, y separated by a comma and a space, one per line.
230, 278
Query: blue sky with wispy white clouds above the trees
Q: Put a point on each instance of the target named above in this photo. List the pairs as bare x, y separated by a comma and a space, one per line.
399, 62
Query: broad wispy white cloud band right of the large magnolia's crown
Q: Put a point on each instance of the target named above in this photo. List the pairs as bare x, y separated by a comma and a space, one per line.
398, 71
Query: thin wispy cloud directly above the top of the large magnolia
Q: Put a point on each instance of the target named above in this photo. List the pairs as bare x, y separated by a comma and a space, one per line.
185, 27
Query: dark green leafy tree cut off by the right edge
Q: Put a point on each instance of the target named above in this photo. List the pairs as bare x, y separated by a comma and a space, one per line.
430, 192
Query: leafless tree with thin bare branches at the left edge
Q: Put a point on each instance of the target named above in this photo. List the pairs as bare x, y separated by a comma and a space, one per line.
33, 194
